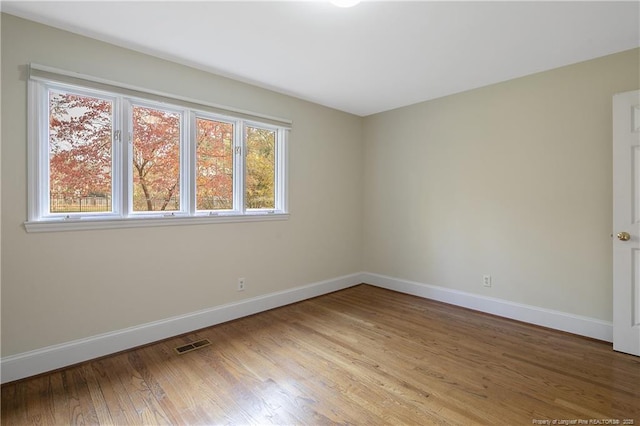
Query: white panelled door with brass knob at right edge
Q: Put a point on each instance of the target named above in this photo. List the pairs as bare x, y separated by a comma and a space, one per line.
626, 222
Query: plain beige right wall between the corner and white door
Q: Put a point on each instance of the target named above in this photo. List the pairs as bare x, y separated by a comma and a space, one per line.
512, 180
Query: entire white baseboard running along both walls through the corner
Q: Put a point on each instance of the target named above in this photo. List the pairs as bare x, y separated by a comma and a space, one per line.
38, 361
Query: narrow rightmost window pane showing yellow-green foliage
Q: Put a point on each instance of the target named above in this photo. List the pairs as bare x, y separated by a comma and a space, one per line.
260, 160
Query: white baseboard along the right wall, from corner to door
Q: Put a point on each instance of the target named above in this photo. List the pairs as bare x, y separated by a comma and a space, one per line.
576, 324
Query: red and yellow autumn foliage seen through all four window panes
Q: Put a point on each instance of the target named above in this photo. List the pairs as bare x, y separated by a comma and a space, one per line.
81, 157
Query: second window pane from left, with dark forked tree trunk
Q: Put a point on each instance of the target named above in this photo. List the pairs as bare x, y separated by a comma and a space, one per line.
156, 160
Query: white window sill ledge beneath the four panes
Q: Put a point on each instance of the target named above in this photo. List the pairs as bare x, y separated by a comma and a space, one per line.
91, 224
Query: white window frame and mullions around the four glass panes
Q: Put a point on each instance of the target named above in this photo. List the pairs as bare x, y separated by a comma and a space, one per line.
42, 79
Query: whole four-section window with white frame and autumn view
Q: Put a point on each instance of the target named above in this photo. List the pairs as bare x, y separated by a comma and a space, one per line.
101, 158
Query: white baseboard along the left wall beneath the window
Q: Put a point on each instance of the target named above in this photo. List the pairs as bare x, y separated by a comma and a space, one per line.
38, 361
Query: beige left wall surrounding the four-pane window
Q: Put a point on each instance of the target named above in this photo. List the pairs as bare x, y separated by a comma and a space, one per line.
61, 286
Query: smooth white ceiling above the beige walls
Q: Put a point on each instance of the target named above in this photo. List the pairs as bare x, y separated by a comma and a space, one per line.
373, 57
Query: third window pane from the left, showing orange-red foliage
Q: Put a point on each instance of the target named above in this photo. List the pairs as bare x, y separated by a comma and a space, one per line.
214, 165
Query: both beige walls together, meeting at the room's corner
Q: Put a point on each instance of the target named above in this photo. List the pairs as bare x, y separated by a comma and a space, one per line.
512, 180
